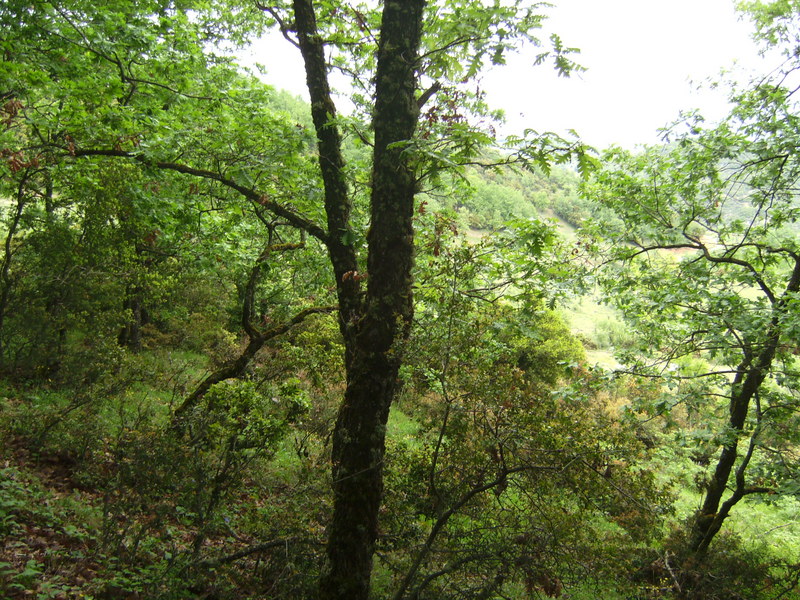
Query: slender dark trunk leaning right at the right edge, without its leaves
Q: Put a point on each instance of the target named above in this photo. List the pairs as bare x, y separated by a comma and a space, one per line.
708, 520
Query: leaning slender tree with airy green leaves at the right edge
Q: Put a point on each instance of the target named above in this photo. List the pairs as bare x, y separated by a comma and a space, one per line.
708, 266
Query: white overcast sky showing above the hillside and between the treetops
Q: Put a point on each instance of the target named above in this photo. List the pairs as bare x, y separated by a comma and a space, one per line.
644, 60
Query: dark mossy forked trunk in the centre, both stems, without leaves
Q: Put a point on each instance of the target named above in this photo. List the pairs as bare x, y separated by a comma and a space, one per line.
376, 322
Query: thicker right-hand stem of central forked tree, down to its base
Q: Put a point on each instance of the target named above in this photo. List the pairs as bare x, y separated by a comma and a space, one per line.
374, 342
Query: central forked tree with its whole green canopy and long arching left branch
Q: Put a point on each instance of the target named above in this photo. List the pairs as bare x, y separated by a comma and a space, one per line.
134, 83
